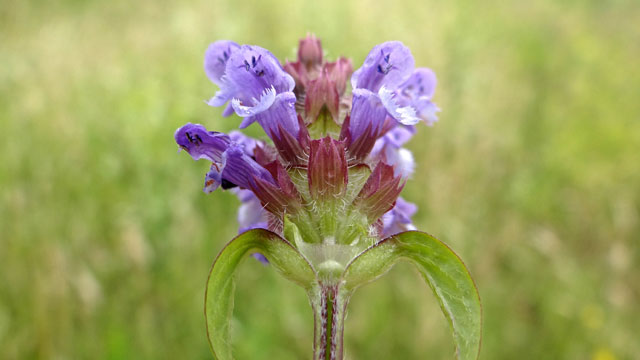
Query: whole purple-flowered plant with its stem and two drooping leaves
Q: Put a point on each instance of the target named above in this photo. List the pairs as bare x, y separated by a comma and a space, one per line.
320, 202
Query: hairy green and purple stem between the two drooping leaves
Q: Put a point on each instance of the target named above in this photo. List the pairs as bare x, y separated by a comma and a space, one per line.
329, 304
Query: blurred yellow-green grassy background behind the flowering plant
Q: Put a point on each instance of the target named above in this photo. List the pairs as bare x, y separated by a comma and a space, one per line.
532, 176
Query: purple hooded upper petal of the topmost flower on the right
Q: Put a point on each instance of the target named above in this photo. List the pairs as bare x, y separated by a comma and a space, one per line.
388, 64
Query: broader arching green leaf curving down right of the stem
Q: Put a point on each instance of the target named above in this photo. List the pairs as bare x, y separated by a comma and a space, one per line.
441, 268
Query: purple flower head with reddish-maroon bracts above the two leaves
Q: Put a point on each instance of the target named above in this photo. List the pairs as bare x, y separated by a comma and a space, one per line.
335, 164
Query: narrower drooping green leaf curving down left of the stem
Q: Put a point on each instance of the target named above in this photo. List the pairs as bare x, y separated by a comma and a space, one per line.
220, 286
